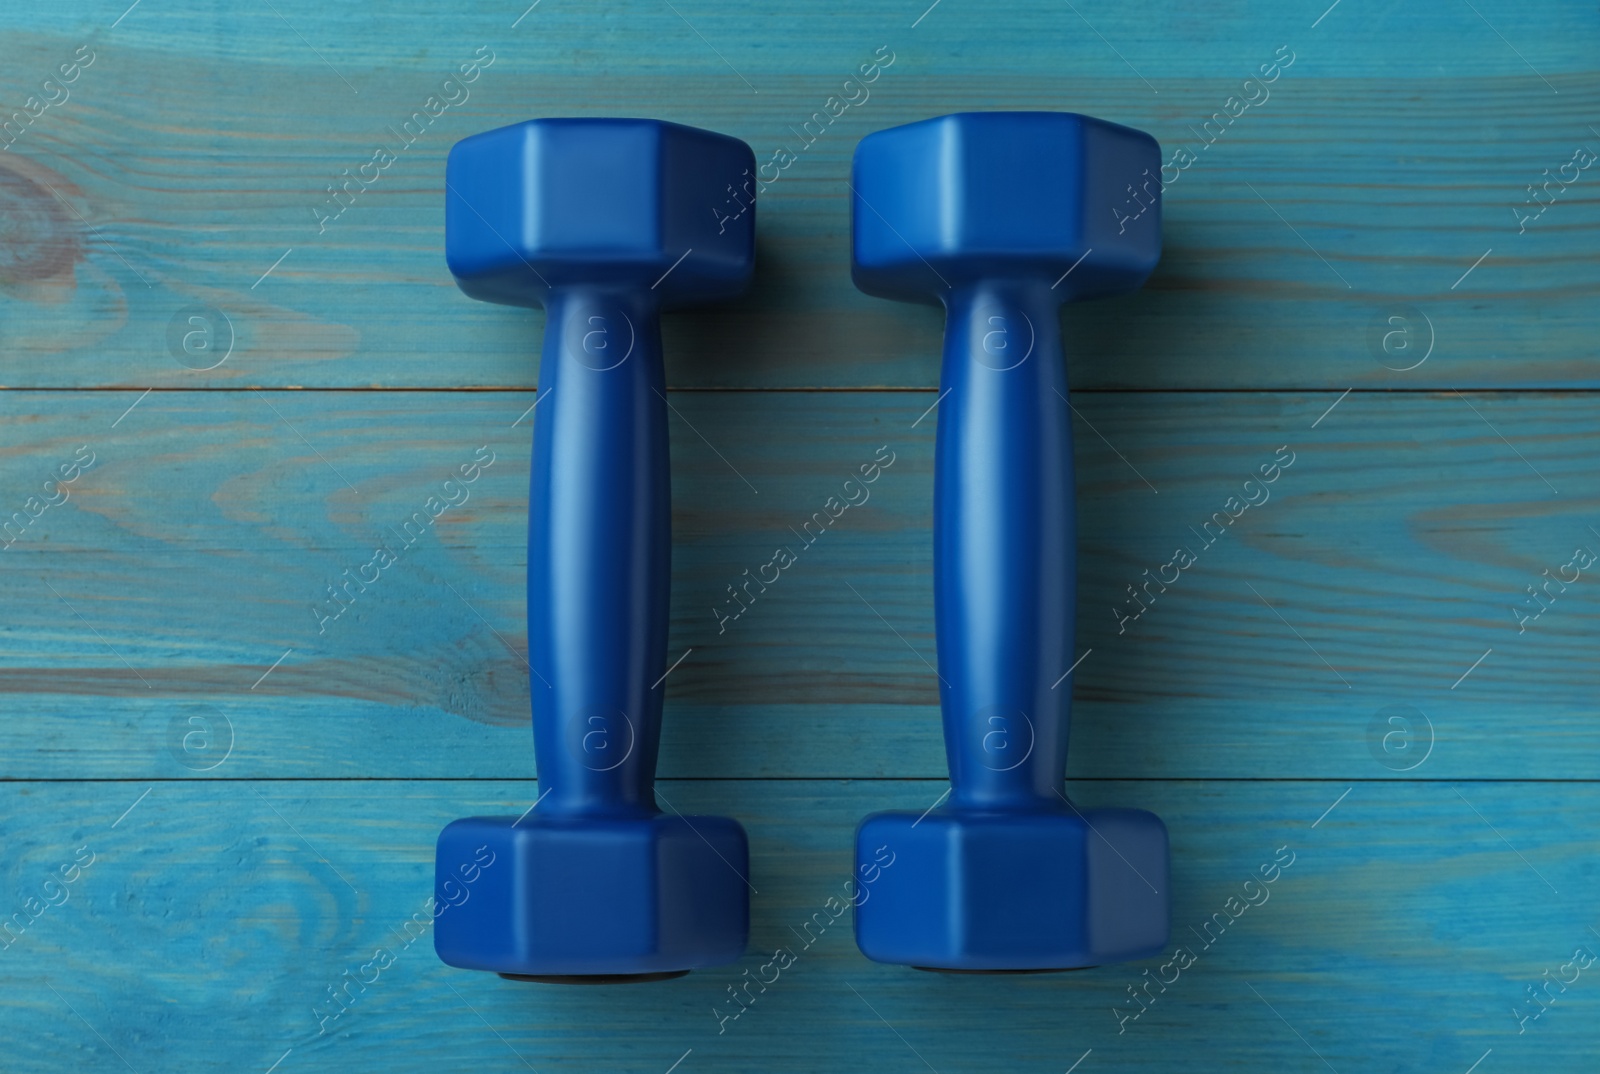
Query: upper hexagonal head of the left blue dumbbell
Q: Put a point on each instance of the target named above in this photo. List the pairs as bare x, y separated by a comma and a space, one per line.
639, 206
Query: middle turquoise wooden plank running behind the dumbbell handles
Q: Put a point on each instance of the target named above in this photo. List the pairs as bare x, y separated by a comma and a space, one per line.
1383, 571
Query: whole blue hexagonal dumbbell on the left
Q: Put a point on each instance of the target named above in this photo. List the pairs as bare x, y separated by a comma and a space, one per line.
604, 223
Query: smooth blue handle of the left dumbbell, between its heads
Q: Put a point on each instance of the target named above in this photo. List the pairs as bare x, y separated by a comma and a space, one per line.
599, 555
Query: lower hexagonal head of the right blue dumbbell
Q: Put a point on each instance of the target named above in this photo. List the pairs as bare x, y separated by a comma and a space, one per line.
1050, 891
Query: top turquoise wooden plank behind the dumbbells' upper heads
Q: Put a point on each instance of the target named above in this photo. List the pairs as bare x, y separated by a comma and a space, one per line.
191, 161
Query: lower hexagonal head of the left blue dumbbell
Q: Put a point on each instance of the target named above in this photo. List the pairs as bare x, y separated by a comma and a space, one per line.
593, 897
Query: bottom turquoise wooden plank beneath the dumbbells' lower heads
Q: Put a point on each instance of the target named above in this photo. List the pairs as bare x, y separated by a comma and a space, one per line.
214, 920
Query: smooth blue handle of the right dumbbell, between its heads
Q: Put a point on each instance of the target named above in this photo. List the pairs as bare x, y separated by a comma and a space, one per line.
1004, 547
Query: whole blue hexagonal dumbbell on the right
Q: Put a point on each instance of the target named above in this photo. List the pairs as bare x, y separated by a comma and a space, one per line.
1002, 217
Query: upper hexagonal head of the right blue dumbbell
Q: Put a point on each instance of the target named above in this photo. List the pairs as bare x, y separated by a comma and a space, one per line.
985, 196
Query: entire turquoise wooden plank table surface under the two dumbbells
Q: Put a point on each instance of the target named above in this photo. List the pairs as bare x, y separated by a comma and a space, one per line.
234, 366
